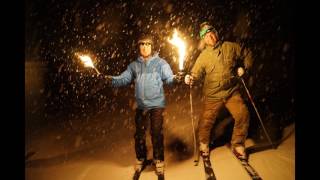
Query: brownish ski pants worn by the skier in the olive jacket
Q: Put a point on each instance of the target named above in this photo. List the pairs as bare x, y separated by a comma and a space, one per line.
237, 108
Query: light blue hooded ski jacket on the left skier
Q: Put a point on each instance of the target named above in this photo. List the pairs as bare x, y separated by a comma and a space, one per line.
149, 77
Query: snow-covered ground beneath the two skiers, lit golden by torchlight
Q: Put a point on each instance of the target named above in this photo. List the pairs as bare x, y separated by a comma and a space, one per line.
102, 147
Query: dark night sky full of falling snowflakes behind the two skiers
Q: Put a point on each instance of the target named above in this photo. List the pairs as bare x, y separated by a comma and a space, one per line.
56, 29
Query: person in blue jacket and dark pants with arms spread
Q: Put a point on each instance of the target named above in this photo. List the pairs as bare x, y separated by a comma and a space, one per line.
149, 72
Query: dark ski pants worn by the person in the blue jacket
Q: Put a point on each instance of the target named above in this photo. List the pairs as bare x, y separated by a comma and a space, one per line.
155, 117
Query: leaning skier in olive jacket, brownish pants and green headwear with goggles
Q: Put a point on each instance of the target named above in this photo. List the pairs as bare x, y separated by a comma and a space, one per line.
218, 62
